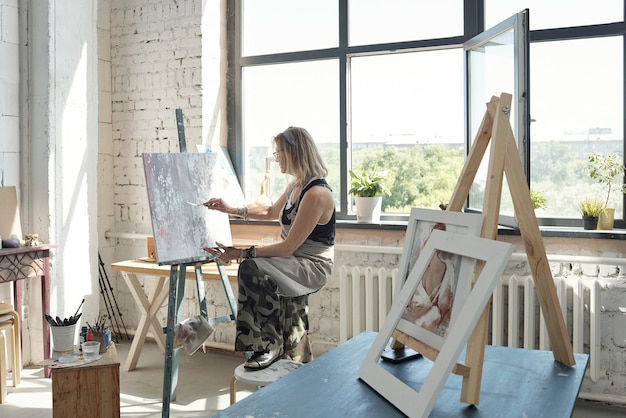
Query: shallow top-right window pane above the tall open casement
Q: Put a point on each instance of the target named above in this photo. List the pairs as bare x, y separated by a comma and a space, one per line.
556, 13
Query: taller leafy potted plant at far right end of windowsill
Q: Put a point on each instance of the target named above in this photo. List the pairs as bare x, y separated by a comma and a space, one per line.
608, 171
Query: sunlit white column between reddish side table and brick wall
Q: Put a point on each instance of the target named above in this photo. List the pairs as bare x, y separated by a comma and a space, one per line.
61, 163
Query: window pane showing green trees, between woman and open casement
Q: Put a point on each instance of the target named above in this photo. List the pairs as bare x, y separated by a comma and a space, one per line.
403, 121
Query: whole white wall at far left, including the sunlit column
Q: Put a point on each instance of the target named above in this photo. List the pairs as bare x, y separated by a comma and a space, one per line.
48, 77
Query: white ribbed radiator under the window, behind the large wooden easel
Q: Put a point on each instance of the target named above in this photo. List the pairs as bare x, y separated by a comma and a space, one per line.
516, 320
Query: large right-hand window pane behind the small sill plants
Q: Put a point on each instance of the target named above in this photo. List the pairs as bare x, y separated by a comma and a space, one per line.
576, 108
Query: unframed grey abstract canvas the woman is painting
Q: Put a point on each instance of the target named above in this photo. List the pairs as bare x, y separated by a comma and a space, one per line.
177, 185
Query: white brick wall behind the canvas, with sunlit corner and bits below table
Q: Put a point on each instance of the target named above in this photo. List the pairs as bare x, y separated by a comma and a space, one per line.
156, 63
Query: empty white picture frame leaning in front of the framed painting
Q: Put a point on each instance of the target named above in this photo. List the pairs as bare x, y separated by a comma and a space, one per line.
419, 403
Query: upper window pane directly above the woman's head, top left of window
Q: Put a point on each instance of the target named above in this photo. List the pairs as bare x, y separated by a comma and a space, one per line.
273, 26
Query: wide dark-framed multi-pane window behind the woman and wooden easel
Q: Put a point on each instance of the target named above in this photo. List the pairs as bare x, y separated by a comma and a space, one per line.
380, 85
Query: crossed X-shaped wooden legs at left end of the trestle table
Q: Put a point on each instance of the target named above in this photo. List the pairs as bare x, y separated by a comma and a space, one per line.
148, 306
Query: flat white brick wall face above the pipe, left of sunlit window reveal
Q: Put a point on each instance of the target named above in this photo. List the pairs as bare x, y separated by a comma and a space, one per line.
156, 66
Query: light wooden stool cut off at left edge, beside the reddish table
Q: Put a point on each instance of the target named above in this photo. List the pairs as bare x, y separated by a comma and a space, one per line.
10, 321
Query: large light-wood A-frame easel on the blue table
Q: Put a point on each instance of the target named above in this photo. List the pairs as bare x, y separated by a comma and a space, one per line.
504, 158
